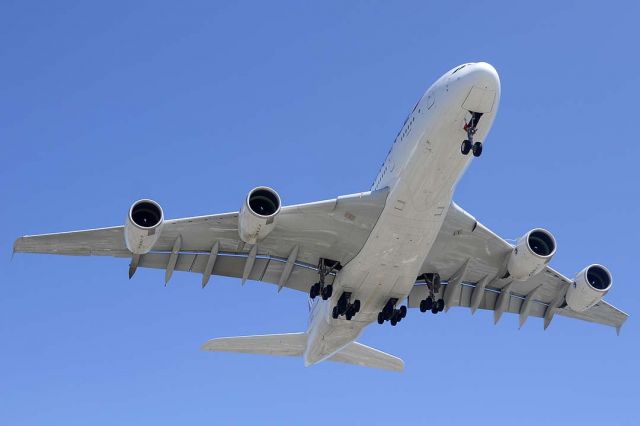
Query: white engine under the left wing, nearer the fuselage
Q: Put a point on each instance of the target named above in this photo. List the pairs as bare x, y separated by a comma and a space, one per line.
258, 214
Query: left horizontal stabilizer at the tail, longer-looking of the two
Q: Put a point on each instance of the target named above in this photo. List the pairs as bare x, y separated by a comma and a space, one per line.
291, 344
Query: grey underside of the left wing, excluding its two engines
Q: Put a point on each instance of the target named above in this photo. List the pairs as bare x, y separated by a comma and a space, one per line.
334, 229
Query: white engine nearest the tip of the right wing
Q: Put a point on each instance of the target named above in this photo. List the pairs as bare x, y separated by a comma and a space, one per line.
590, 285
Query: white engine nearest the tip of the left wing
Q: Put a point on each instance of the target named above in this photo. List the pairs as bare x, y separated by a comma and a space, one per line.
143, 226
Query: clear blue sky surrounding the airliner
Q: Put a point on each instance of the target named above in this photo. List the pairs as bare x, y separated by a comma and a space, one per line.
193, 104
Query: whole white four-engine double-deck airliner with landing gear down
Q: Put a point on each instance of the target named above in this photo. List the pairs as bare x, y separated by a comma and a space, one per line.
367, 257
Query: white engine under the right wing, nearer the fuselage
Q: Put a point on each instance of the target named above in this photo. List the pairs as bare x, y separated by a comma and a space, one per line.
530, 255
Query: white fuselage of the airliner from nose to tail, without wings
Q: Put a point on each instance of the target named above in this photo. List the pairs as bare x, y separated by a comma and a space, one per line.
421, 171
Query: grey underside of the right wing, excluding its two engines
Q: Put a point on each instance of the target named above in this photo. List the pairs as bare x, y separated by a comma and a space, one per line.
471, 259
